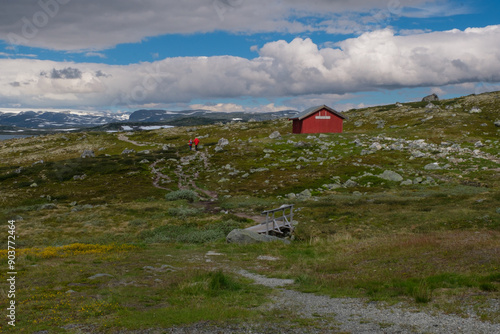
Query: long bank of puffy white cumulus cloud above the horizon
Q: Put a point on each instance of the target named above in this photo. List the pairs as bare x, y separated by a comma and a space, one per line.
372, 61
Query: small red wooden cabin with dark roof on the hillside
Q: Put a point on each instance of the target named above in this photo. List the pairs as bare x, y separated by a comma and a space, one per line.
321, 119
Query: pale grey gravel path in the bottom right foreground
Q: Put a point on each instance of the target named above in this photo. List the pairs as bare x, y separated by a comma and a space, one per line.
354, 315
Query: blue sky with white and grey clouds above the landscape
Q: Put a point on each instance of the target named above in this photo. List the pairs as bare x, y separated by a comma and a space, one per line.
228, 55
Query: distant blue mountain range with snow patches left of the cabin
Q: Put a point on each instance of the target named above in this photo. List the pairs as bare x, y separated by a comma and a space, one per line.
45, 120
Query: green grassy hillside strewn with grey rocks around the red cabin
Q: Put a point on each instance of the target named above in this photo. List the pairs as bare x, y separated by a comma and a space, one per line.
404, 206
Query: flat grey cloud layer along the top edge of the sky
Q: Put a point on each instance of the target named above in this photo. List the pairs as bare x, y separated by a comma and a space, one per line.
97, 24
